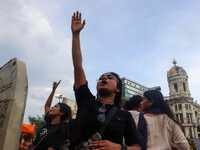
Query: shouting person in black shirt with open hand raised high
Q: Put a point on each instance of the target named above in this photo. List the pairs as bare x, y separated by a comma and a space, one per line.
92, 111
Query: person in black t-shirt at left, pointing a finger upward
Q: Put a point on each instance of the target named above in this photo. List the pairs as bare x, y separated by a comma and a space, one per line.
53, 134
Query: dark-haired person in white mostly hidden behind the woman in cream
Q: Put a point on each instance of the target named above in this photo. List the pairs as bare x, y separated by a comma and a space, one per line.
133, 105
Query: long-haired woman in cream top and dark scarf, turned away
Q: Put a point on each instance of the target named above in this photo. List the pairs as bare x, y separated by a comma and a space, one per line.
157, 127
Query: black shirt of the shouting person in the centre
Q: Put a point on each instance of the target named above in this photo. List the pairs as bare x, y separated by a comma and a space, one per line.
121, 125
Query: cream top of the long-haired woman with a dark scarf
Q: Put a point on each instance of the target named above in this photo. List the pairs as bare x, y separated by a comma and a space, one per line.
160, 132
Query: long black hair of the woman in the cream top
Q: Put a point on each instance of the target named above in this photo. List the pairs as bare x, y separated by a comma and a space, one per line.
159, 103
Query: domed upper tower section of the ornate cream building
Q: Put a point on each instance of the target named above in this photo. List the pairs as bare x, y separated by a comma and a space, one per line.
178, 82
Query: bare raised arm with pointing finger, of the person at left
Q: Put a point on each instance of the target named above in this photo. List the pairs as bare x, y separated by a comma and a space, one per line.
47, 105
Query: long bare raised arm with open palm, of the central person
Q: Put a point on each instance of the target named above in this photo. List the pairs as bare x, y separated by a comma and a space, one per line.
76, 27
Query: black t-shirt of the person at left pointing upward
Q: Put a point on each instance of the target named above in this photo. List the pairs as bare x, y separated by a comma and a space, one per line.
54, 139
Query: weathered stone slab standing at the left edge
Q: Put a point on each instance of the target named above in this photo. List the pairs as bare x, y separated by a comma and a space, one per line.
13, 94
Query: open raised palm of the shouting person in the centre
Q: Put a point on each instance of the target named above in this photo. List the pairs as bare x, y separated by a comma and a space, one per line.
77, 25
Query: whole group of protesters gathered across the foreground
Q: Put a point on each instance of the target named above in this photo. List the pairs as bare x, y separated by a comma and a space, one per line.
144, 123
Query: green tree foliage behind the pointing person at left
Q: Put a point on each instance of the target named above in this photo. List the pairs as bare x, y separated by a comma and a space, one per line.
38, 121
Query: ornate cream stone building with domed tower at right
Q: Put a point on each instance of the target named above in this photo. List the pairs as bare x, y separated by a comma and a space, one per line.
186, 110
